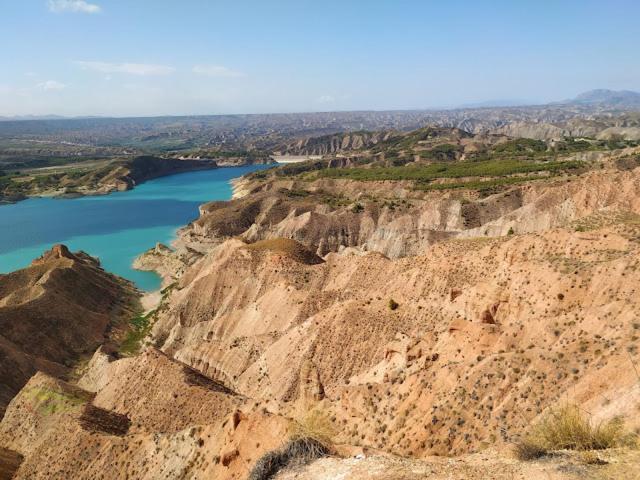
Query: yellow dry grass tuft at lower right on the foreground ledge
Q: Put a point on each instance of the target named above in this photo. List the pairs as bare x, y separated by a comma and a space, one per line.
569, 428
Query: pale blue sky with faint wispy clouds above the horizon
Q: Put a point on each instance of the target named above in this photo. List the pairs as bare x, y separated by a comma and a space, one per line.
156, 57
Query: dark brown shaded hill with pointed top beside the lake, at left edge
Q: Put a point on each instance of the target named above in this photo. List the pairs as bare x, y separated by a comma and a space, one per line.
55, 311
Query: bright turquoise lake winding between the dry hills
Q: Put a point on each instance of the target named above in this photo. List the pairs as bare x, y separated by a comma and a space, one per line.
115, 228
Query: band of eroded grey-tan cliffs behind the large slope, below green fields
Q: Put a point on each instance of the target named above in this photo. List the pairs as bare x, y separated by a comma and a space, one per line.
391, 218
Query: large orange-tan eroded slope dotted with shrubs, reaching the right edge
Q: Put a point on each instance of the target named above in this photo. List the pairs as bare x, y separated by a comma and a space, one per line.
476, 349
